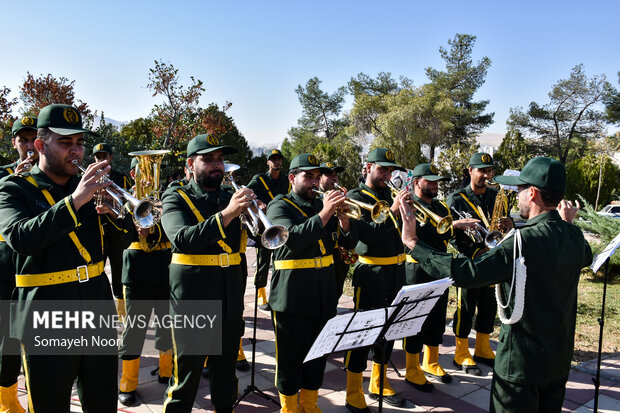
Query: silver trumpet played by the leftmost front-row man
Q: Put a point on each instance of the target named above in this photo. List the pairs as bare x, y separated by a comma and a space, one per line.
146, 212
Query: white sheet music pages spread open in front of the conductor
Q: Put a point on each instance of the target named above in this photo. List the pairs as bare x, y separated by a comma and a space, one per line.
362, 329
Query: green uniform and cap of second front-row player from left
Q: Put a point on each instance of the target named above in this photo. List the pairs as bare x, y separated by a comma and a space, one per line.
193, 223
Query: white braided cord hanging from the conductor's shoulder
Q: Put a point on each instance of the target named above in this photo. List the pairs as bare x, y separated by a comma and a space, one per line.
517, 285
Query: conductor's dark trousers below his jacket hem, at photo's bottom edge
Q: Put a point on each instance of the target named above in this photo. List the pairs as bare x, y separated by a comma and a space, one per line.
508, 397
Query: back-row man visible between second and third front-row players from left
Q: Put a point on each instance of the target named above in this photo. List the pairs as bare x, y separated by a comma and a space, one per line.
267, 186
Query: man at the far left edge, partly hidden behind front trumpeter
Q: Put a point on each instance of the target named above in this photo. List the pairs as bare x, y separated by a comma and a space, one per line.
24, 134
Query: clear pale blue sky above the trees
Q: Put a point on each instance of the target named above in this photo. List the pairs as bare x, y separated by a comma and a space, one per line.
255, 53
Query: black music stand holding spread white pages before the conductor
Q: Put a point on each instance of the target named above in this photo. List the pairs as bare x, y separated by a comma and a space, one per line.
404, 311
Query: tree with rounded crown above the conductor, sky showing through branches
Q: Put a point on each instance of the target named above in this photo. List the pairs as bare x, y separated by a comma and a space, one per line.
561, 127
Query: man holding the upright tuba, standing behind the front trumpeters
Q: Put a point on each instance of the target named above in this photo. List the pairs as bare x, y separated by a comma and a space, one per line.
145, 289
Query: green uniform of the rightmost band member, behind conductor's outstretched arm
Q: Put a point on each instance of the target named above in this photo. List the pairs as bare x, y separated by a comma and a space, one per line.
471, 299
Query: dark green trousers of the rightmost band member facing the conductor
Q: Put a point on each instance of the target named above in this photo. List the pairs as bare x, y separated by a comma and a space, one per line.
470, 300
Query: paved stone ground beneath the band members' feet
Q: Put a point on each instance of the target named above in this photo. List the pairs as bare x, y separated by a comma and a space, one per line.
465, 394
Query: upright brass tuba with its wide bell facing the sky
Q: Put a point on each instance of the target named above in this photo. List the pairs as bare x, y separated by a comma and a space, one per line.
148, 187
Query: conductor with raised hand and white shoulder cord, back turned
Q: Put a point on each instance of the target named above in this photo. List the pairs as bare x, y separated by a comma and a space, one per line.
537, 338
